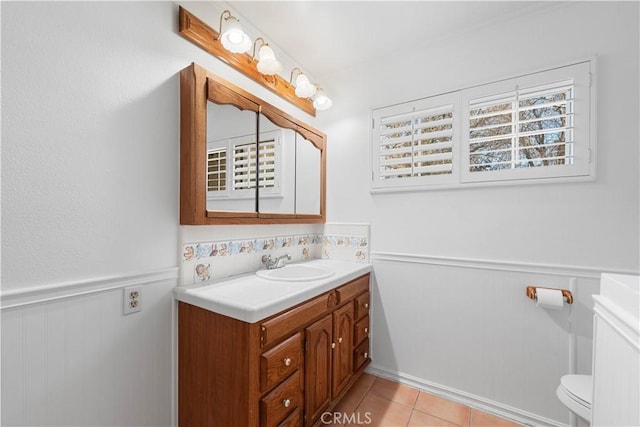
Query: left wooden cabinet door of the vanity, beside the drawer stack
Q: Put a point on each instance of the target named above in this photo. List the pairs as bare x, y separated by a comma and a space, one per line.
317, 387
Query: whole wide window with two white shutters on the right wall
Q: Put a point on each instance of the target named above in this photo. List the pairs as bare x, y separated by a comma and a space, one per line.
531, 128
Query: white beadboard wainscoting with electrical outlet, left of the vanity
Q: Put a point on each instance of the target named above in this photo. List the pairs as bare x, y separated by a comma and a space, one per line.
78, 361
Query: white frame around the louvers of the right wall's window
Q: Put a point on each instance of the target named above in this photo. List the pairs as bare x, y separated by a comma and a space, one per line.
582, 73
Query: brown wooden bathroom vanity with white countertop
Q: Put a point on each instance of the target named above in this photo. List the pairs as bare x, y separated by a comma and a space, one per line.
271, 352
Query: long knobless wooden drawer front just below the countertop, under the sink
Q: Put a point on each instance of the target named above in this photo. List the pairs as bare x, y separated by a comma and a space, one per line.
282, 325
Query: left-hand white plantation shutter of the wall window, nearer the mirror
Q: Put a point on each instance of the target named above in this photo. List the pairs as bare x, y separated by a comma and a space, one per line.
414, 146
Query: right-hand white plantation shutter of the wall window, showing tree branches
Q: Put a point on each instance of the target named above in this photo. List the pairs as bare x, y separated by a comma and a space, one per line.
529, 128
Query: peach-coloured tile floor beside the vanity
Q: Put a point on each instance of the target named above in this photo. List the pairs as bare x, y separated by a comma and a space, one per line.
375, 401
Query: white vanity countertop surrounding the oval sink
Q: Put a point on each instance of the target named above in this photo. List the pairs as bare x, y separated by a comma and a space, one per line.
251, 298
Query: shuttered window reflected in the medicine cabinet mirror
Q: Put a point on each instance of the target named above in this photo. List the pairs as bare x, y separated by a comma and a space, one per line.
238, 179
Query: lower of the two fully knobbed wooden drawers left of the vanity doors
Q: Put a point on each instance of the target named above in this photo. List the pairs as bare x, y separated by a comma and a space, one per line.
279, 403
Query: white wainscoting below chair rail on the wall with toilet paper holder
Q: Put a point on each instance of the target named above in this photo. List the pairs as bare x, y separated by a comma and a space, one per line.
467, 330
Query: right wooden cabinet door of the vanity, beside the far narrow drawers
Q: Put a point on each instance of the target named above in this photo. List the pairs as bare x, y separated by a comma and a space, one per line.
343, 347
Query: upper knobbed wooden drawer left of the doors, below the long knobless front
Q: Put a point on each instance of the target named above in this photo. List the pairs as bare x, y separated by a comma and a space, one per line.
279, 362
